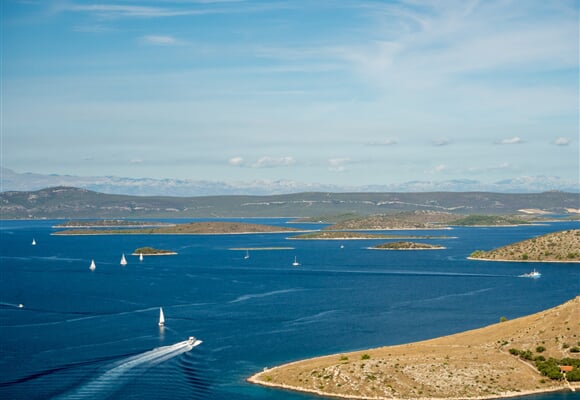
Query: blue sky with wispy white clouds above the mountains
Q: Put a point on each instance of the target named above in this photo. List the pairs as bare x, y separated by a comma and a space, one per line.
343, 92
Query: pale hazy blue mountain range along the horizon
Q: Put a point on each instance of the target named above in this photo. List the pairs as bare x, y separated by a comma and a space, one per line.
14, 181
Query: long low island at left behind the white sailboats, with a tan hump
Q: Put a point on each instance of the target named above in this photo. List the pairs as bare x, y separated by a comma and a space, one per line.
192, 228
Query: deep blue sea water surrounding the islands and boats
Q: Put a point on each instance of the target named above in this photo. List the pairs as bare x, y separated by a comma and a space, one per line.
83, 334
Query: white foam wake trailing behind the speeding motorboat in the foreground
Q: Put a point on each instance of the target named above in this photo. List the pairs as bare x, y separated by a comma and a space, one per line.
115, 377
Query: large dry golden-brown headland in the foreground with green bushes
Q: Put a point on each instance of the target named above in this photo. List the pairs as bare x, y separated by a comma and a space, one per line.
533, 354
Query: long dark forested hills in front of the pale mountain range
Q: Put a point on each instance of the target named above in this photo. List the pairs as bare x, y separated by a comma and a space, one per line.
68, 202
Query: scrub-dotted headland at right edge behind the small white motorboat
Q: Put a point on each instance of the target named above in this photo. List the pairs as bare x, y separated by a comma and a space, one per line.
563, 246
